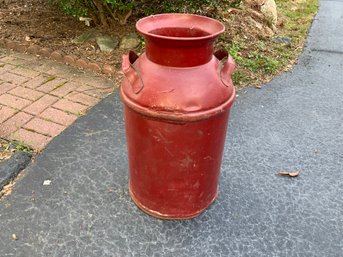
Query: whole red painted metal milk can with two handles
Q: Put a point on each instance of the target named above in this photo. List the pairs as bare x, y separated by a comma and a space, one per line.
177, 97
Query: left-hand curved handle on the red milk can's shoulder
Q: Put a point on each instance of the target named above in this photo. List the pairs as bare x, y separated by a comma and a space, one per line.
130, 72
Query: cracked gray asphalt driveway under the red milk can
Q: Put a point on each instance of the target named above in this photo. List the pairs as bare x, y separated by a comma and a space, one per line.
293, 123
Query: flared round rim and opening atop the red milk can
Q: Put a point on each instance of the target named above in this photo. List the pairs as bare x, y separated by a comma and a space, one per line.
179, 26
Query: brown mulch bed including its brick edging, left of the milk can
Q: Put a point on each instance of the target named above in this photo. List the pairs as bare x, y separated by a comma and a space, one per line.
36, 27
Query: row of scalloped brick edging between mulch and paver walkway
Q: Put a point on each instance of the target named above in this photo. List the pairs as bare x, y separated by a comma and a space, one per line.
59, 56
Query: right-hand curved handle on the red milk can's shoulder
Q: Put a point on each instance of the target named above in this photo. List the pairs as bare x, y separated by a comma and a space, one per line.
227, 66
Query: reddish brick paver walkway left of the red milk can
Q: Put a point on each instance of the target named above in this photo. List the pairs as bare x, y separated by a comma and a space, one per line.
39, 98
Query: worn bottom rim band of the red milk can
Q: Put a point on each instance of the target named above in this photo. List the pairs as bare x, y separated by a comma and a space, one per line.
164, 216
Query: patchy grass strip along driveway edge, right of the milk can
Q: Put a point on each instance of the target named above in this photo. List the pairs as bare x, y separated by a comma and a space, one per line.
259, 58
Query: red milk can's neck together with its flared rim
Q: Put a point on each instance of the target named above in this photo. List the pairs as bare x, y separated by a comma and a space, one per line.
179, 40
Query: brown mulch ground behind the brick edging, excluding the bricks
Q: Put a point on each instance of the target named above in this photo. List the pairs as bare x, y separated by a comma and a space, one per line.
35, 22
